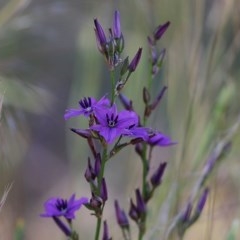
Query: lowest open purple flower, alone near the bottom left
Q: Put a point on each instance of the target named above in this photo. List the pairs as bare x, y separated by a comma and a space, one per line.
57, 207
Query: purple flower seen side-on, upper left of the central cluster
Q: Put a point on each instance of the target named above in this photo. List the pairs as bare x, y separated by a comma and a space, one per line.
87, 106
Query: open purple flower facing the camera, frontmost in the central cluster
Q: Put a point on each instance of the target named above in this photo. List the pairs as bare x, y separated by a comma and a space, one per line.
112, 124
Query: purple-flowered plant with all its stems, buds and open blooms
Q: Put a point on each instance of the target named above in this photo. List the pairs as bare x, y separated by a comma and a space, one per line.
113, 130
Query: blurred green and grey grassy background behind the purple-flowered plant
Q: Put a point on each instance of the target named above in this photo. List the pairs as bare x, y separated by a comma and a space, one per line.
49, 60
